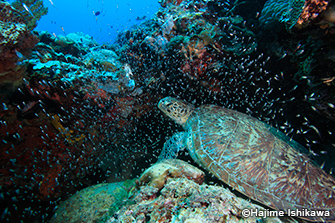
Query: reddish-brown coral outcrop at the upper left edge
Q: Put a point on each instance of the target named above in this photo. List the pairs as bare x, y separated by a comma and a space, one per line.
16, 42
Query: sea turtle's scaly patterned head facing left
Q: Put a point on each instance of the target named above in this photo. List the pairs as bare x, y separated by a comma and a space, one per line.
176, 109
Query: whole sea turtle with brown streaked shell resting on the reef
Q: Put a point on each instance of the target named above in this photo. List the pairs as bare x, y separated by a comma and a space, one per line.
252, 158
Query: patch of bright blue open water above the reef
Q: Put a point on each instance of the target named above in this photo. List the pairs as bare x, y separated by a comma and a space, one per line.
66, 16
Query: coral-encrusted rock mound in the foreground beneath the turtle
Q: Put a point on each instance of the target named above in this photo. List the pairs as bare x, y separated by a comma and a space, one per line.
180, 197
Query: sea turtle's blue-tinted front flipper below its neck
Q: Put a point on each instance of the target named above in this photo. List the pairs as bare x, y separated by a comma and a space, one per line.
172, 146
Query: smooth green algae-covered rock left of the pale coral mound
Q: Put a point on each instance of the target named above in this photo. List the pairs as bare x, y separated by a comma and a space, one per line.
94, 203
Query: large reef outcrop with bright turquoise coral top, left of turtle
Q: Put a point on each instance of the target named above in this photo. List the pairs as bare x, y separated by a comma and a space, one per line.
43, 124
